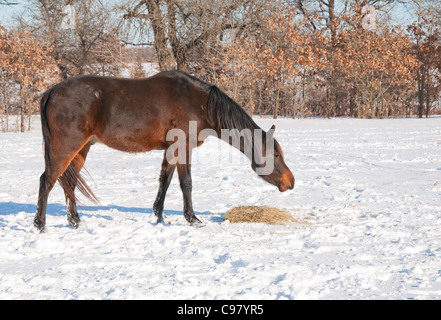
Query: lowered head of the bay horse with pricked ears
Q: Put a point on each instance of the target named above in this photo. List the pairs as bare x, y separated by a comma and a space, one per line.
273, 168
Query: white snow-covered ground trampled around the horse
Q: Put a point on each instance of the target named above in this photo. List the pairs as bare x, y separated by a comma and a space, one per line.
367, 198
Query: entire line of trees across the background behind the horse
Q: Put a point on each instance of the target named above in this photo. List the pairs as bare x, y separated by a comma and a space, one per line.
292, 58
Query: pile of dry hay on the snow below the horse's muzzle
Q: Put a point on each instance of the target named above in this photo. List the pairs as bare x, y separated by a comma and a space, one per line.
261, 214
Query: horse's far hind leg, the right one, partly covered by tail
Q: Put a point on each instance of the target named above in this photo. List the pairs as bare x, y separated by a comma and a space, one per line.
76, 164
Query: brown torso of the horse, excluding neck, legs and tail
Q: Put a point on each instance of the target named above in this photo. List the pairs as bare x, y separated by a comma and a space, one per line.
132, 115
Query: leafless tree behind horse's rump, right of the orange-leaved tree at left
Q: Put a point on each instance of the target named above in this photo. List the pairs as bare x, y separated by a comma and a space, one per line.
89, 46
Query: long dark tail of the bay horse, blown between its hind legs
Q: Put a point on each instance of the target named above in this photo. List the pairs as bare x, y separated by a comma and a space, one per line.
71, 178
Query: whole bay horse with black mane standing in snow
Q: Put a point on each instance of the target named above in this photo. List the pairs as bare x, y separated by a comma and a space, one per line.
135, 115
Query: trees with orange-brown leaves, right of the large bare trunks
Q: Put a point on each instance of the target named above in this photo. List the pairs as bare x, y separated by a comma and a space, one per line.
287, 67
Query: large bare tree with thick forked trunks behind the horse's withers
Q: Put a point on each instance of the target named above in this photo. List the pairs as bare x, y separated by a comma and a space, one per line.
179, 26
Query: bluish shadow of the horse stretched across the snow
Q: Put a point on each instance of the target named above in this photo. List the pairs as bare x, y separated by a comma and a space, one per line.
104, 212
